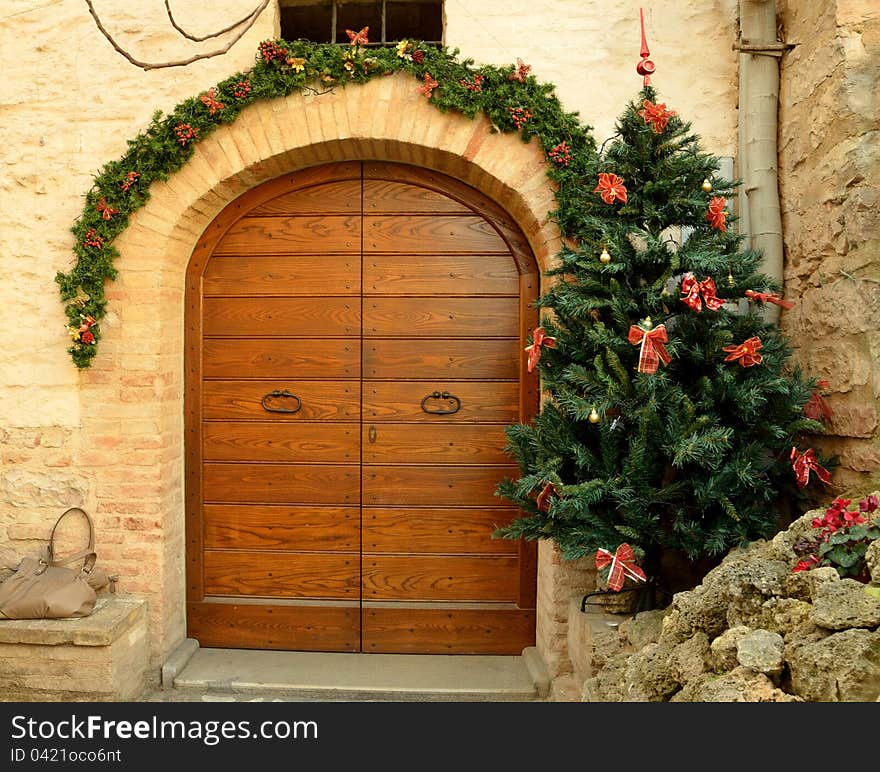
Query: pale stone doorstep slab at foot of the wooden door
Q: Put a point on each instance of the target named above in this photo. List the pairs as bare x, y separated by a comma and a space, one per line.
360, 677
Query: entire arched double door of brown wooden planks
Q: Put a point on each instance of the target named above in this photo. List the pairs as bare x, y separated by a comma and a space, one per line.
355, 338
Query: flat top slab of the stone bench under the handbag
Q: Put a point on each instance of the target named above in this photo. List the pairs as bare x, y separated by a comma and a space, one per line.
111, 618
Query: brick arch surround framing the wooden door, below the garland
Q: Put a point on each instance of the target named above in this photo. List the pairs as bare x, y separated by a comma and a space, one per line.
385, 119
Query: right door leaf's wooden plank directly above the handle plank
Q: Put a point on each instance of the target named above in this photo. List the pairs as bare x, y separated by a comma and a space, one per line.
447, 358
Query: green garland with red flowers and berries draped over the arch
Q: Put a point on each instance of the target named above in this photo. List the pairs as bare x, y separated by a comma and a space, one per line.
509, 96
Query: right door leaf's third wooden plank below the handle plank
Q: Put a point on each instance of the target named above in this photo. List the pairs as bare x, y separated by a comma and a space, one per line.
461, 530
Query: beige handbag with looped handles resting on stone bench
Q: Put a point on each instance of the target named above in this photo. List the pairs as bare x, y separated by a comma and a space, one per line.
42, 588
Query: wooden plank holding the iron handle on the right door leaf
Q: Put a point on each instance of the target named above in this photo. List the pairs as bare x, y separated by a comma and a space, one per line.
401, 401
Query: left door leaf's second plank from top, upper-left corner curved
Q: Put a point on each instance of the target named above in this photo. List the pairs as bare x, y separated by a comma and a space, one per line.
292, 235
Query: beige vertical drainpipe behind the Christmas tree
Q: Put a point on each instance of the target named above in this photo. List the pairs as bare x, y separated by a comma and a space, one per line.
759, 210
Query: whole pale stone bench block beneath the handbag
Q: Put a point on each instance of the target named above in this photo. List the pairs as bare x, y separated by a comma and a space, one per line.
103, 657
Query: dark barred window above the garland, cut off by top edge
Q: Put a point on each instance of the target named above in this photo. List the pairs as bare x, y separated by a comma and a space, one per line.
390, 21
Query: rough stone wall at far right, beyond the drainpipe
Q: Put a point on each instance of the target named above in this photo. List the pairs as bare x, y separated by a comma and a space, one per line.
830, 184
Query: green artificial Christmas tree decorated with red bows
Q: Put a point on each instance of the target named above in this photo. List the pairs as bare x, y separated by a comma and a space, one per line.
681, 446
